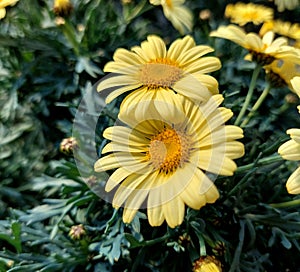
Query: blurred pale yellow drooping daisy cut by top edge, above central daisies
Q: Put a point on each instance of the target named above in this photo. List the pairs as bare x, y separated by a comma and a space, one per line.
179, 15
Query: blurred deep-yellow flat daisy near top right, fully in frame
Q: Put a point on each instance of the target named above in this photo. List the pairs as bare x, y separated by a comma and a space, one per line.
241, 13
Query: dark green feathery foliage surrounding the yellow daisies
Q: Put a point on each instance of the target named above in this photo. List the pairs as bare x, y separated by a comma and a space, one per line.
51, 219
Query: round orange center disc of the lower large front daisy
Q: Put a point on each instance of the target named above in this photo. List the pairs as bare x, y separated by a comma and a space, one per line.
168, 150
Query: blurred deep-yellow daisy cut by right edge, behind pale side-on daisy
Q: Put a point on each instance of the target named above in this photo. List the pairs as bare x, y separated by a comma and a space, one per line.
285, 29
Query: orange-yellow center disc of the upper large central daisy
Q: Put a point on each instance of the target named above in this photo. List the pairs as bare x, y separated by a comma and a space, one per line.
160, 73
